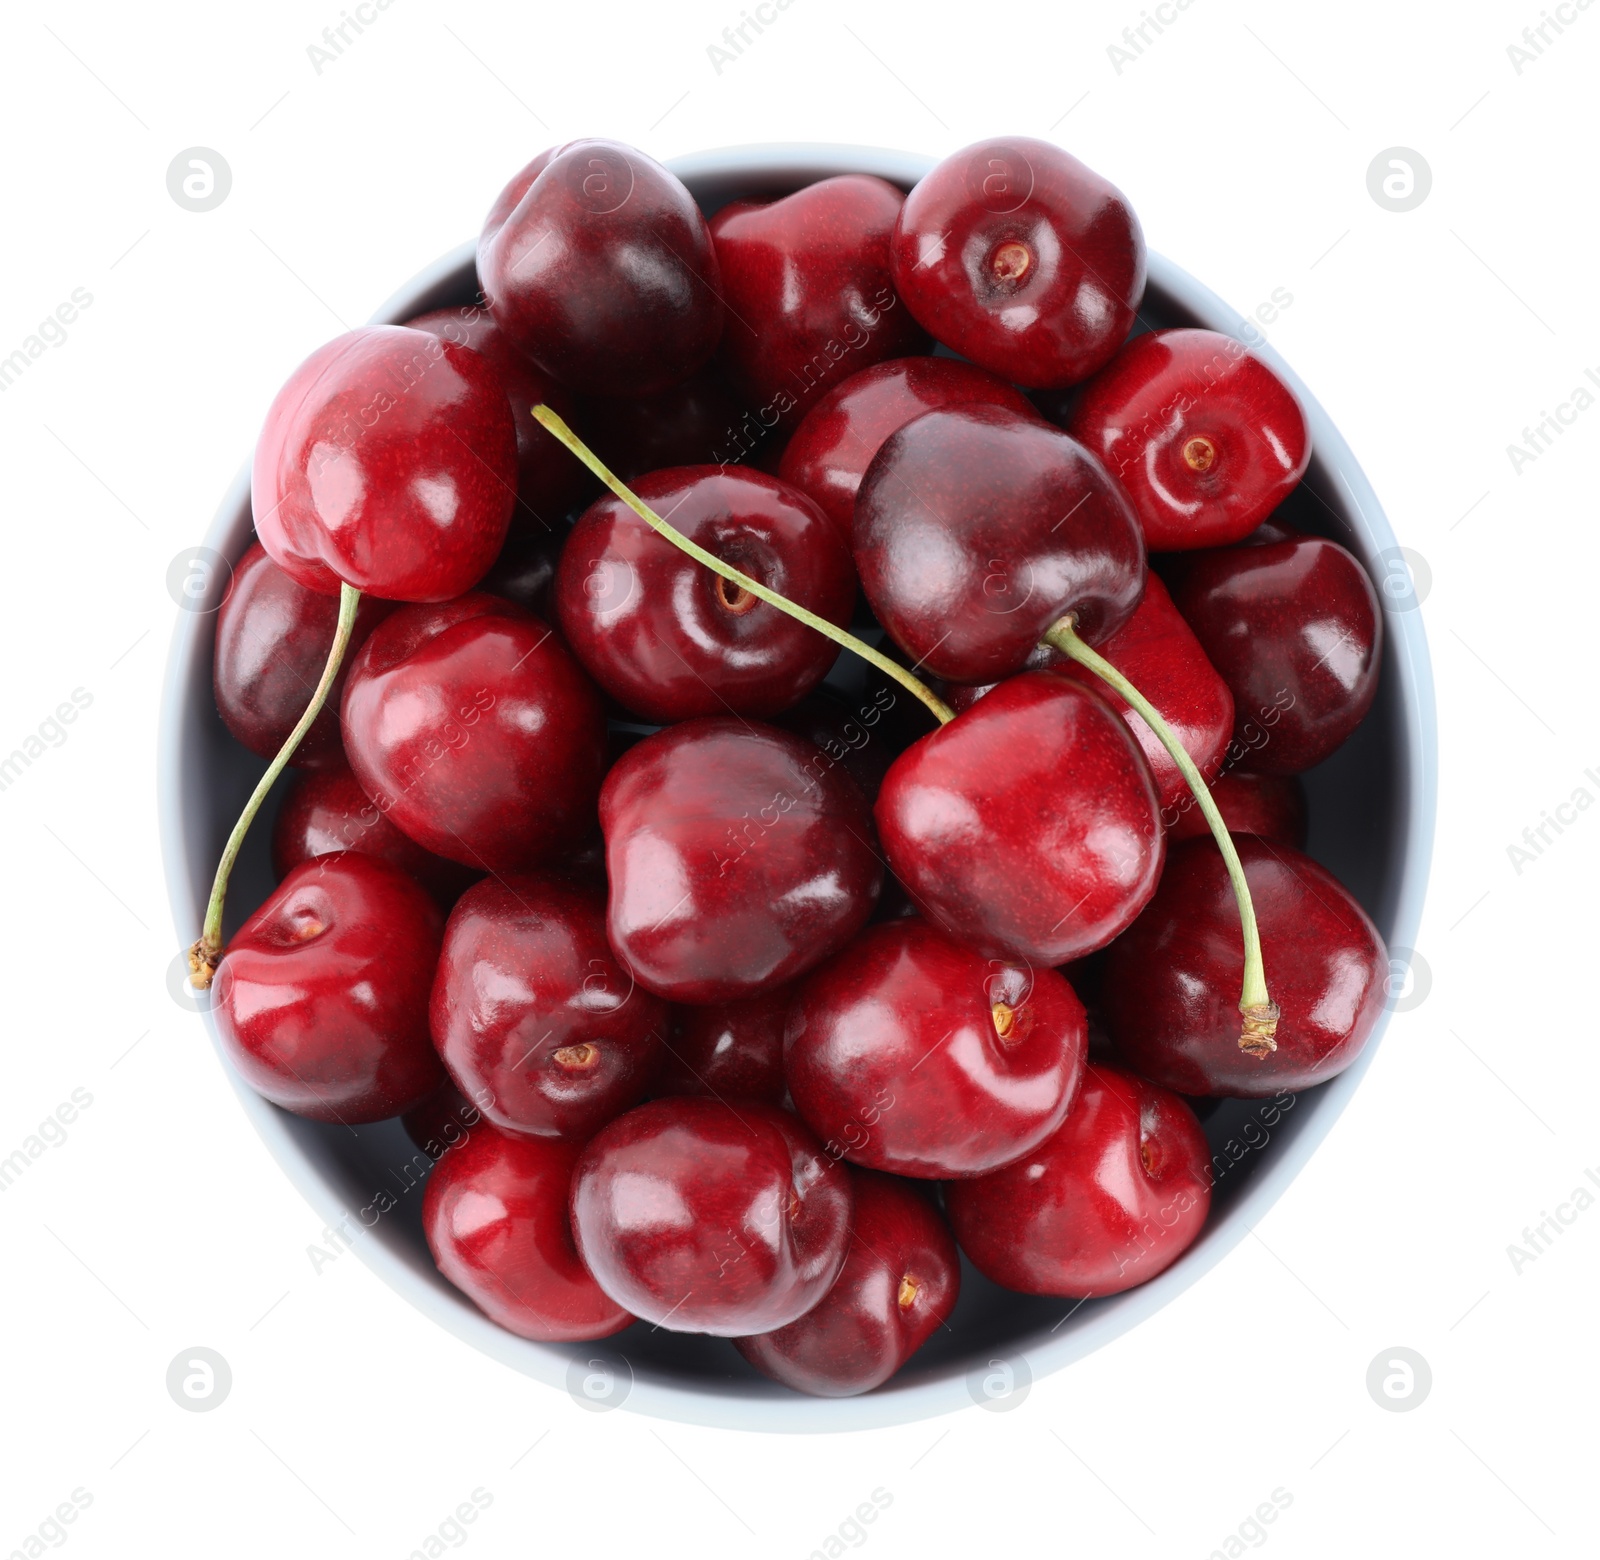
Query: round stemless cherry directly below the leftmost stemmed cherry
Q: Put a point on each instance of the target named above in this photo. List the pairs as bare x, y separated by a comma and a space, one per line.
476, 734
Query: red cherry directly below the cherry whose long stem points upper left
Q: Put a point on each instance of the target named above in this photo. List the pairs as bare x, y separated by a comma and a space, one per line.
913, 1054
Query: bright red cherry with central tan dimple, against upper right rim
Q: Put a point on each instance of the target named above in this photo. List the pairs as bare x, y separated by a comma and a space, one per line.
1202, 434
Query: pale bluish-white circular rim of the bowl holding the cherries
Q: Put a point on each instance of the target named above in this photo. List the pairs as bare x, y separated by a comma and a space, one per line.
554, 1366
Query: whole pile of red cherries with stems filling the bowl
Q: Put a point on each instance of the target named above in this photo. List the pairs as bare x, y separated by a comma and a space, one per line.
722, 999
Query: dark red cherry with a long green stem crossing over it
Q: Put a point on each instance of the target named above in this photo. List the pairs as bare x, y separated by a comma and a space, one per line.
670, 639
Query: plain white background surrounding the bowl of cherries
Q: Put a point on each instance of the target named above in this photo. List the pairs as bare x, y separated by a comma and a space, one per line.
1242, 135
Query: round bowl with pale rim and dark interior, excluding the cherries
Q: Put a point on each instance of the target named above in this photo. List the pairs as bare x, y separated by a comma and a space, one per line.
1372, 807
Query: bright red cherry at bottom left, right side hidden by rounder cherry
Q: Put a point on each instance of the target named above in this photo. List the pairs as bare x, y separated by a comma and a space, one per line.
495, 1215
